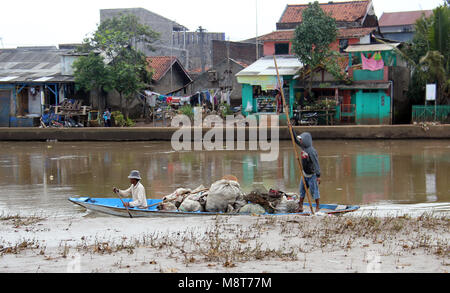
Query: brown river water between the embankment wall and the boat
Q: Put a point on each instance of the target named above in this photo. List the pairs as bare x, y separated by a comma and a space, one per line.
38, 177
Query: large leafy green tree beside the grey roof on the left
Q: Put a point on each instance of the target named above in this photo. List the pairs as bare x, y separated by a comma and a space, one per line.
125, 68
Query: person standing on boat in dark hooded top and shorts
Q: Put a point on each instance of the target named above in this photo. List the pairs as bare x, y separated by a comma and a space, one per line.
311, 168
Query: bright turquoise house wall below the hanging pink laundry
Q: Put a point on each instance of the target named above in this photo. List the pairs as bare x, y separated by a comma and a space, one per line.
372, 108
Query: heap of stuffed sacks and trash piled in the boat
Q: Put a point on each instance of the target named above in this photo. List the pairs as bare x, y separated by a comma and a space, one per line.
226, 196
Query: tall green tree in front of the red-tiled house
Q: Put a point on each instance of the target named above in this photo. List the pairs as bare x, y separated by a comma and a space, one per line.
312, 40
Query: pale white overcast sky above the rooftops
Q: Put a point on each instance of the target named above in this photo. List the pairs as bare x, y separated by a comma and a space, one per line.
50, 22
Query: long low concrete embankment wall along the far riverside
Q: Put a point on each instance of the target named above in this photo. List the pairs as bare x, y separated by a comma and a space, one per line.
165, 134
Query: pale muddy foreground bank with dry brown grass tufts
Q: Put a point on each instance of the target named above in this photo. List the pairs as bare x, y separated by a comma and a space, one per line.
249, 244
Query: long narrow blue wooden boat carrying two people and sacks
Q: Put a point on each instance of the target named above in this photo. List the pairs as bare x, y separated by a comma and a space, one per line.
114, 206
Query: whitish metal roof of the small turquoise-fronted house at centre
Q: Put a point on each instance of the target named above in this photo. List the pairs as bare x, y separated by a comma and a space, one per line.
287, 65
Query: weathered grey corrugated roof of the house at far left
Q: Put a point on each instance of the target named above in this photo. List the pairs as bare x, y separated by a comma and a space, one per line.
40, 64
